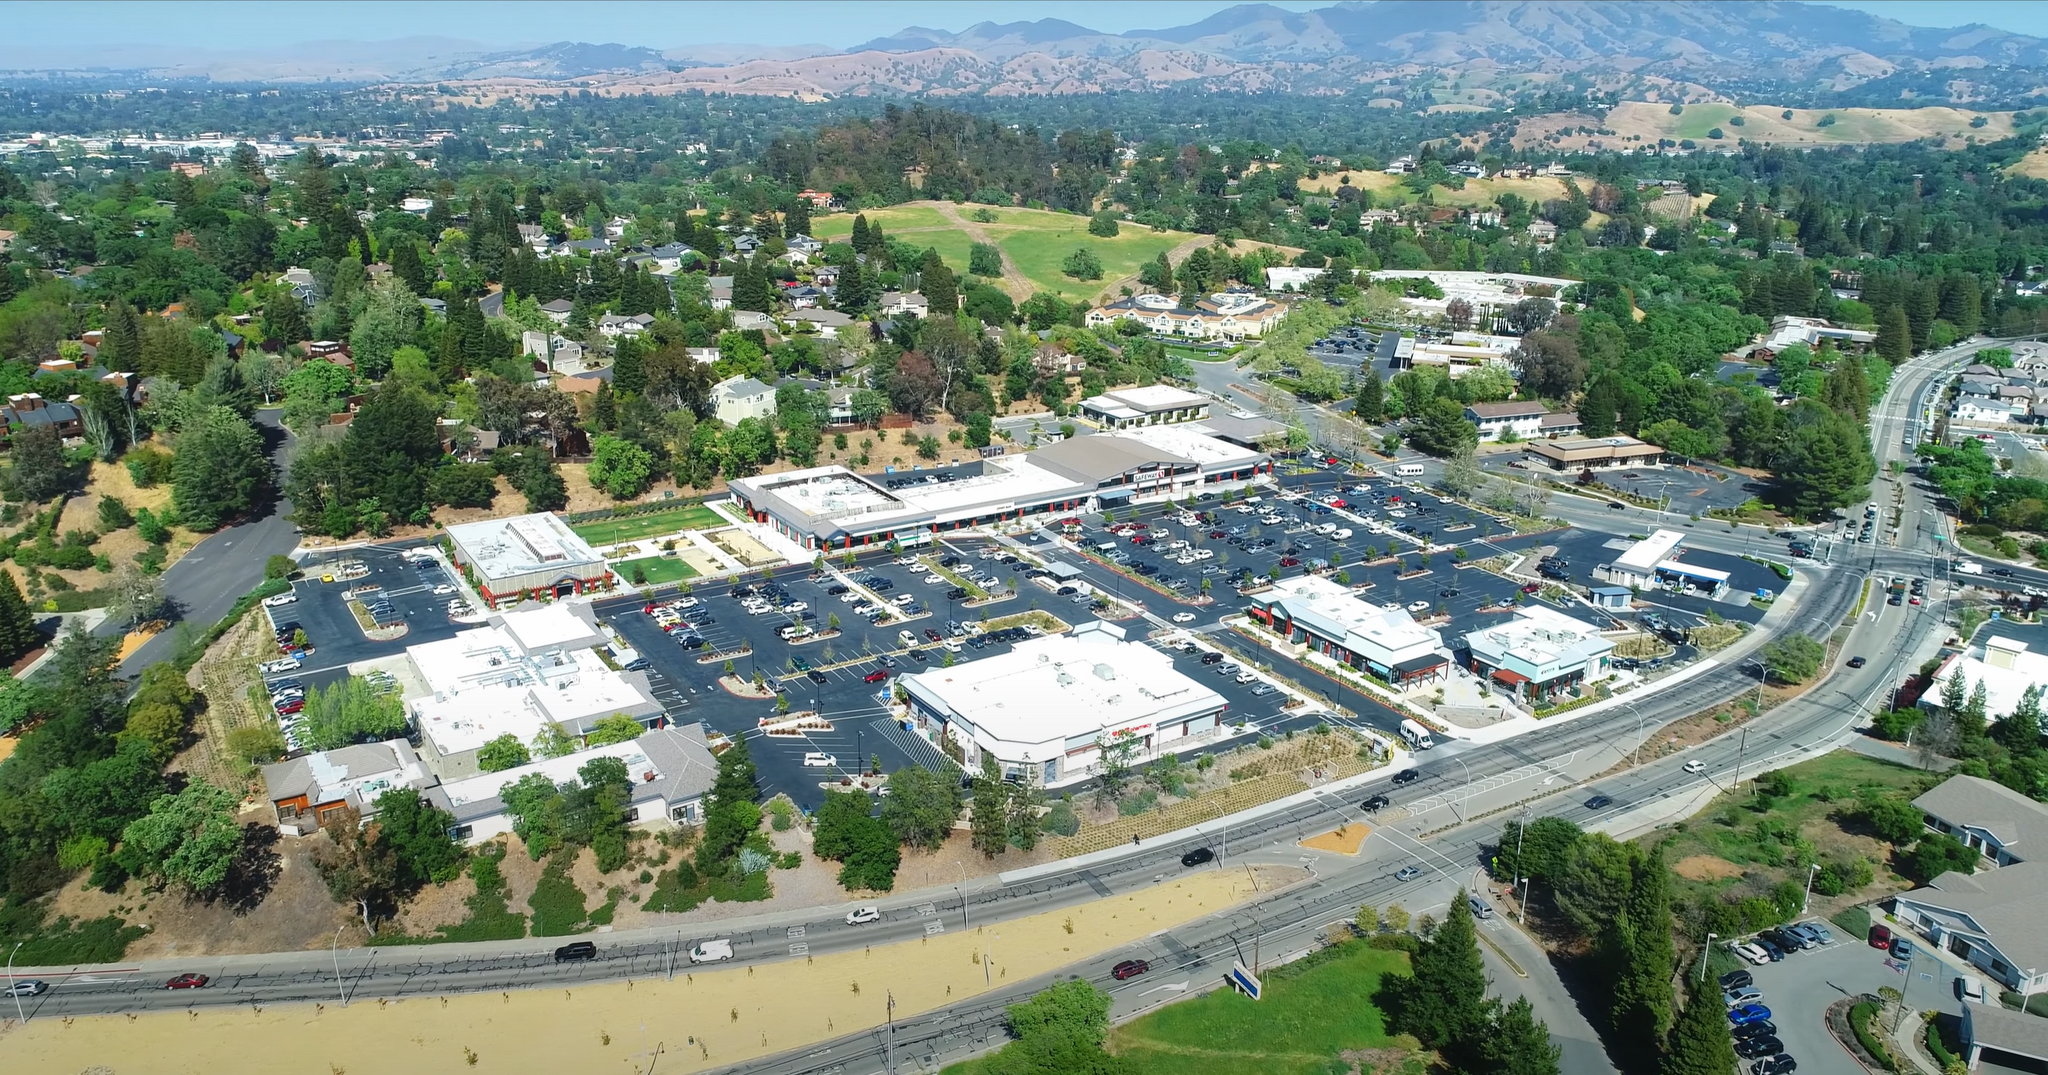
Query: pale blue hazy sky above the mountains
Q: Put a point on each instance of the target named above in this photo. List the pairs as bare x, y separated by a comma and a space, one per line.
67, 32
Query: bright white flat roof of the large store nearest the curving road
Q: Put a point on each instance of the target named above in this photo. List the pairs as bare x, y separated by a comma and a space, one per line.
1064, 687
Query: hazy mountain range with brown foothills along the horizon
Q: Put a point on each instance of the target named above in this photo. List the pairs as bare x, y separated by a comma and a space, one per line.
1717, 46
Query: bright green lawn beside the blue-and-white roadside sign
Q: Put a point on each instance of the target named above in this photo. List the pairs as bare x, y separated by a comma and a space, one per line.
1299, 1027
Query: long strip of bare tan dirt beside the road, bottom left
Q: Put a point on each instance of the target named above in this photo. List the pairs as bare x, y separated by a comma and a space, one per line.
728, 1019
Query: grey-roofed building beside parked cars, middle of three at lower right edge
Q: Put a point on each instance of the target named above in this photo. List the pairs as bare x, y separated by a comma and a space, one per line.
1992, 920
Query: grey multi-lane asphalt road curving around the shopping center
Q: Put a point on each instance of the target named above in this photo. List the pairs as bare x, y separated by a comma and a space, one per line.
1443, 824
